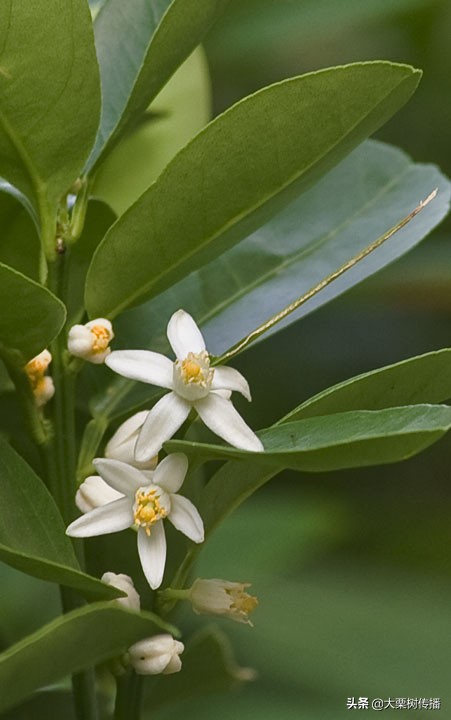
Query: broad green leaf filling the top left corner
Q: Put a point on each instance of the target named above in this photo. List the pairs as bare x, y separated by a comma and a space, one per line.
50, 95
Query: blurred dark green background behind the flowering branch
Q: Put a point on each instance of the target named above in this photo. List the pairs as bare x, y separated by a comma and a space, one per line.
352, 569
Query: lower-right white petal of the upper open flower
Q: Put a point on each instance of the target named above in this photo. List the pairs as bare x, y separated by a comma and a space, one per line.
221, 417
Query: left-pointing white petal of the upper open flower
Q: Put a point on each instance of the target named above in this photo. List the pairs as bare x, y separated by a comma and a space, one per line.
142, 365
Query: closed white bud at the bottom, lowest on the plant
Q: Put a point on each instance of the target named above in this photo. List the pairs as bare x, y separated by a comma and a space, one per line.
155, 655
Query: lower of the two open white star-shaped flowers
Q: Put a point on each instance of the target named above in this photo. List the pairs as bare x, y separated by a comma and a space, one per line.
148, 499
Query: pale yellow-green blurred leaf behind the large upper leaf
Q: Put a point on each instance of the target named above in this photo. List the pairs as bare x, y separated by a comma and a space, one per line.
181, 109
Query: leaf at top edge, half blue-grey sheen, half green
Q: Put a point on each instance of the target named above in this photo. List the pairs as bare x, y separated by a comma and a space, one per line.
138, 52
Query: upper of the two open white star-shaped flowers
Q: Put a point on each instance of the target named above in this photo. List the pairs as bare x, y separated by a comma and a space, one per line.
192, 382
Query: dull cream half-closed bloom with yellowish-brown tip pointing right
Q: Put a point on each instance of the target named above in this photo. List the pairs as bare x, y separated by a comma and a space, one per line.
222, 597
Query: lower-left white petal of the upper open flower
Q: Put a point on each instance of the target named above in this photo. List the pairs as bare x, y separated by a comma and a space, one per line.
162, 422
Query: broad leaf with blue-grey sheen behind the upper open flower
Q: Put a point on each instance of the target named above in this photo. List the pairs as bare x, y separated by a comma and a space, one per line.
368, 192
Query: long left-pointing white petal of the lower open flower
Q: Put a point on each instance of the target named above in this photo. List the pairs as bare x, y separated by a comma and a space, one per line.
113, 517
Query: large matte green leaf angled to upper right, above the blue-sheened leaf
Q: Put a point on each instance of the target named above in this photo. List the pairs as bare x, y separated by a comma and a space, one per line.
208, 198
